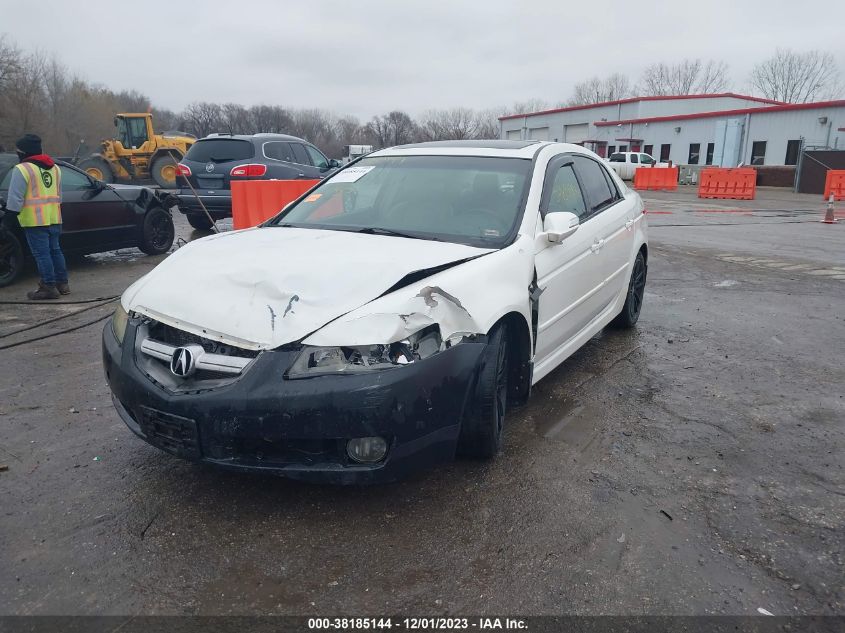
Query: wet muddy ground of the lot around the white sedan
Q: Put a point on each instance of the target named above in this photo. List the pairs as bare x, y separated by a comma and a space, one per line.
692, 466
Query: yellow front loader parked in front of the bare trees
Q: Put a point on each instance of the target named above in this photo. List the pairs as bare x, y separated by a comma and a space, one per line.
138, 154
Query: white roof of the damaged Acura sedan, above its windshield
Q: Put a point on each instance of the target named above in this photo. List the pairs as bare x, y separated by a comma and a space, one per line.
496, 148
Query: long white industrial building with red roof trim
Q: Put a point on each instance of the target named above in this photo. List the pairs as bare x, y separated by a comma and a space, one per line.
724, 129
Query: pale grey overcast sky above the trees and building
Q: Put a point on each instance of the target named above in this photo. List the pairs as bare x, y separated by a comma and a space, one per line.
365, 57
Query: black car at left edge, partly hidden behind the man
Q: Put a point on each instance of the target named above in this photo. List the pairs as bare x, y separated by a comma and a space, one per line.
96, 217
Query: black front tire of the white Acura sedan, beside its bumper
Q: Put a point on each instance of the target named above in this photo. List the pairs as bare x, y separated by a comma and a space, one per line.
481, 430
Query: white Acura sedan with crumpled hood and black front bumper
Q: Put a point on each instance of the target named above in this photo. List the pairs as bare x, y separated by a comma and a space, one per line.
385, 320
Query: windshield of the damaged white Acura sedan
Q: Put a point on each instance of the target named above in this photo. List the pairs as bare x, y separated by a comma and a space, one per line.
466, 199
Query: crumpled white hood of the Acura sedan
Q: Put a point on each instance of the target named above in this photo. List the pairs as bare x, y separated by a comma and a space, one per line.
262, 288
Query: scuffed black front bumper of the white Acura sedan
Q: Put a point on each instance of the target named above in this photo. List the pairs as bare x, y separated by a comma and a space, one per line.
299, 428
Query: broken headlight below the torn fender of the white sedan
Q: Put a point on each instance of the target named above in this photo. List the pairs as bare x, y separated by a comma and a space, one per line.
318, 361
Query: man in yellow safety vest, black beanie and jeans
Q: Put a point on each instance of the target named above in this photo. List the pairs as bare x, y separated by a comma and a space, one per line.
35, 194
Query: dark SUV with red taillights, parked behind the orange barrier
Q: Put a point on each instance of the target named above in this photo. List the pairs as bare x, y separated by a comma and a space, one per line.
212, 163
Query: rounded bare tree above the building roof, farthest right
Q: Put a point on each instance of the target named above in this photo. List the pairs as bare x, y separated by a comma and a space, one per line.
796, 77
